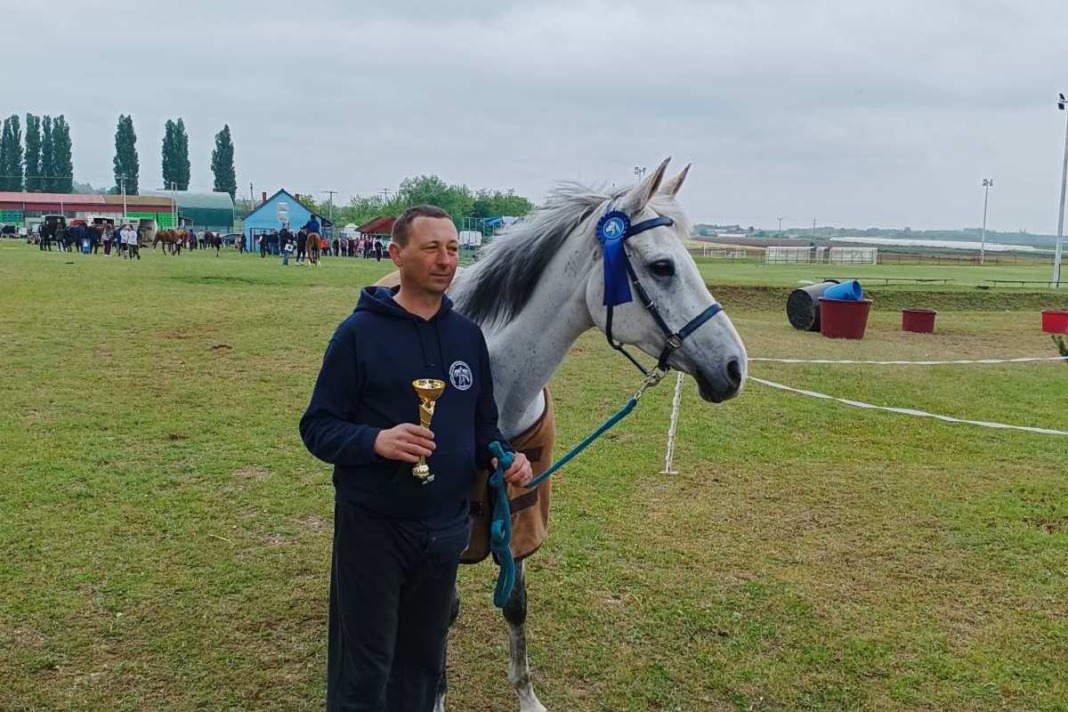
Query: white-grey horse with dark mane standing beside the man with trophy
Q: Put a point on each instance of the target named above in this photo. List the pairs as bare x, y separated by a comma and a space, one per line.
539, 288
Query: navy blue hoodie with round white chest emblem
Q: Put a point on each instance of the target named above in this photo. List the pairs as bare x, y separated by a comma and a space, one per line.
366, 387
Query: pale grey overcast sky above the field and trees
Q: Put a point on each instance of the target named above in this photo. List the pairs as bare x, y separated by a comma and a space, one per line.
850, 113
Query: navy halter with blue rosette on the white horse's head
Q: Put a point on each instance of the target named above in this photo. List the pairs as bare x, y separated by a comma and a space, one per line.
616, 227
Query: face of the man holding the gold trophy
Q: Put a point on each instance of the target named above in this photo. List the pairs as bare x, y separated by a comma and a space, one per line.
428, 264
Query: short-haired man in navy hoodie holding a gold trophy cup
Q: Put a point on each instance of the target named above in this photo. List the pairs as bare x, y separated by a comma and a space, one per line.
398, 543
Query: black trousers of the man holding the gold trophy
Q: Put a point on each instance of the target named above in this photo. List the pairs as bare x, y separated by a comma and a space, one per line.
391, 594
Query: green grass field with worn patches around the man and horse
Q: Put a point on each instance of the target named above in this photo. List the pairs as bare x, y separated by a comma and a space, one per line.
165, 536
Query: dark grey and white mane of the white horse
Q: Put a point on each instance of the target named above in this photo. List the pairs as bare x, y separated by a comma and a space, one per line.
508, 271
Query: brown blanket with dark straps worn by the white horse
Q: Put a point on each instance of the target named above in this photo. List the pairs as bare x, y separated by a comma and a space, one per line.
530, 509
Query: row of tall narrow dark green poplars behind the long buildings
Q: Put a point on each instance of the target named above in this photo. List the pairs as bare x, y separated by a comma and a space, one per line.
46, 165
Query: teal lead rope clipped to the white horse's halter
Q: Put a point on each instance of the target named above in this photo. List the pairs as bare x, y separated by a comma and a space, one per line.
500, 529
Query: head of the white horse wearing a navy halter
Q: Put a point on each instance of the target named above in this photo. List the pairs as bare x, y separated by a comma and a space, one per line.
711, 350
